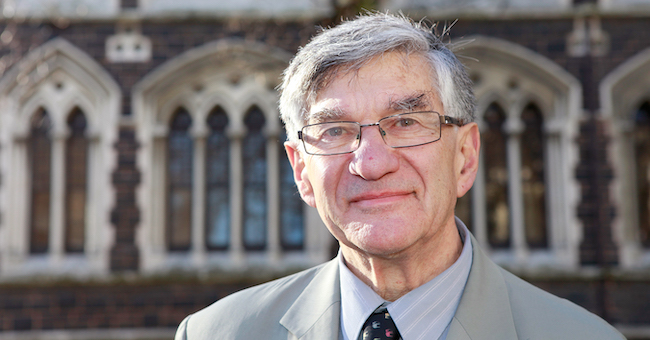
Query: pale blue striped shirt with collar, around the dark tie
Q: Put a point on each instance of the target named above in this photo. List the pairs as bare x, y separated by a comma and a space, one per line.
423, 313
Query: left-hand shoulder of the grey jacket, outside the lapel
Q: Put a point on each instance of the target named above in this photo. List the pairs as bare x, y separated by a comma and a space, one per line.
255, 310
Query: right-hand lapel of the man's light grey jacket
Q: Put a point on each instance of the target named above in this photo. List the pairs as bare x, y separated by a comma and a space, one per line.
484, 309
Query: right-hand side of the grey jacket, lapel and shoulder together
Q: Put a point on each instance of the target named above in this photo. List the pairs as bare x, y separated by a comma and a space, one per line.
511, 308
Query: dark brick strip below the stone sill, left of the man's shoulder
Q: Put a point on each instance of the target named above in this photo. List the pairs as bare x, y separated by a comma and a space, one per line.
74, 306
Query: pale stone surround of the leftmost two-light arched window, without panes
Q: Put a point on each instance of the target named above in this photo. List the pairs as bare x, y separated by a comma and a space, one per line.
58, 77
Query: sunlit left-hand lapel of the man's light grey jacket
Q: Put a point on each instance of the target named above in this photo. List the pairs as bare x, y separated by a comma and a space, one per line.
316, 312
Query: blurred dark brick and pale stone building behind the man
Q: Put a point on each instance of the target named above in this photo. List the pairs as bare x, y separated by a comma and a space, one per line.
142, 175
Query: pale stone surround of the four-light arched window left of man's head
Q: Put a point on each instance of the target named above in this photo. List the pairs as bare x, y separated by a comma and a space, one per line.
234, 75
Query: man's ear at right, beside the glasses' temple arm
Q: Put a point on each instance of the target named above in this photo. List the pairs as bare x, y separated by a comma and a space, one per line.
467, 158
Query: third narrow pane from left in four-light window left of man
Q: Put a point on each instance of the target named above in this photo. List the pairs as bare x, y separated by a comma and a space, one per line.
254, 159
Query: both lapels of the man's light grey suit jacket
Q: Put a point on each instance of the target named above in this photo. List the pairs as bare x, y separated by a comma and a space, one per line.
483, 312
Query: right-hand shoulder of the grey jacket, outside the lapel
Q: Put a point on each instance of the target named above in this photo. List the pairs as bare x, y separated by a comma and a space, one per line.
536, 312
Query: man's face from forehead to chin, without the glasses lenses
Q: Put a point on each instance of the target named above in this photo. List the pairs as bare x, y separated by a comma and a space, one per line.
382, 200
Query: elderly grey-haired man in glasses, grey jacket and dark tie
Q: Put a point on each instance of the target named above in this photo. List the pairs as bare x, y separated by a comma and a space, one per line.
379, 115
